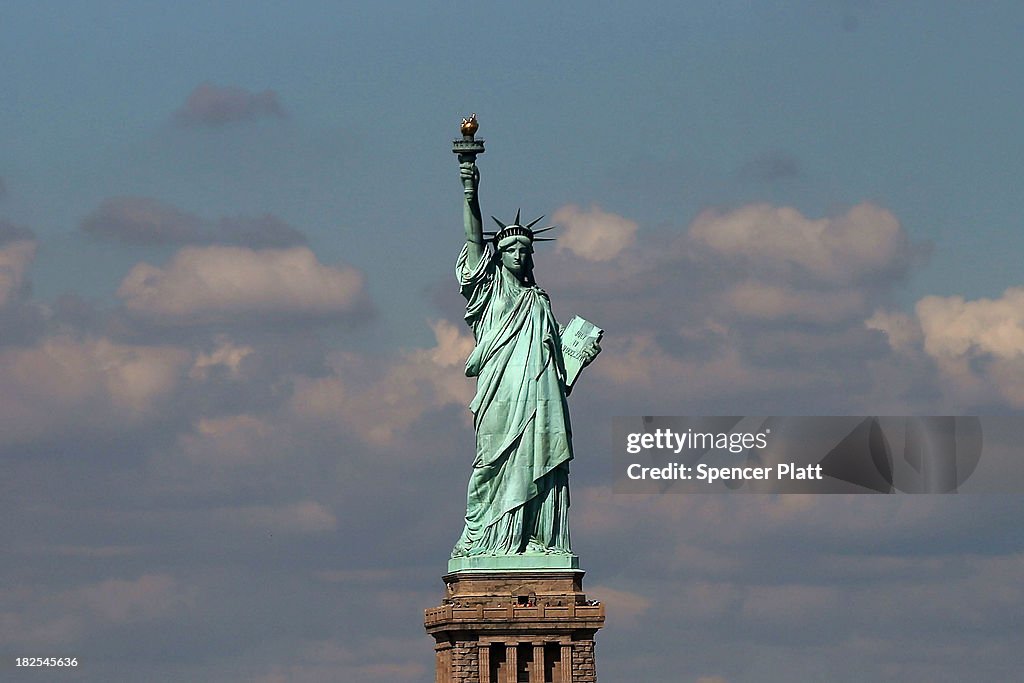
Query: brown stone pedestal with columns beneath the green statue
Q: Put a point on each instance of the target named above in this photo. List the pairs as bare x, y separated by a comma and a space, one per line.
533, 626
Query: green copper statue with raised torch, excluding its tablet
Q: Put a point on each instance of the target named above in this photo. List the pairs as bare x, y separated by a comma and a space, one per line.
518, 500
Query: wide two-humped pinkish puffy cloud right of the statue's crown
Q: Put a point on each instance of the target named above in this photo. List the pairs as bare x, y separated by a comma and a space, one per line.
866, 243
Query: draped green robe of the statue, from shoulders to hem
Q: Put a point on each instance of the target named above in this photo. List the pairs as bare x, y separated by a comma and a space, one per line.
519, 491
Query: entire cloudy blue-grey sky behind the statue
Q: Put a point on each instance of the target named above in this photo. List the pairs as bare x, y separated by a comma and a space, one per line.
234, 426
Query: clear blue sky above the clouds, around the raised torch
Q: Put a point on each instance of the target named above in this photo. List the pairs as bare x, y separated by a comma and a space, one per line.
911, 106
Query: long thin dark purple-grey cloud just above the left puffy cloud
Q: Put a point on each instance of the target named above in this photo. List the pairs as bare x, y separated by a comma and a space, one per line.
142, 221
